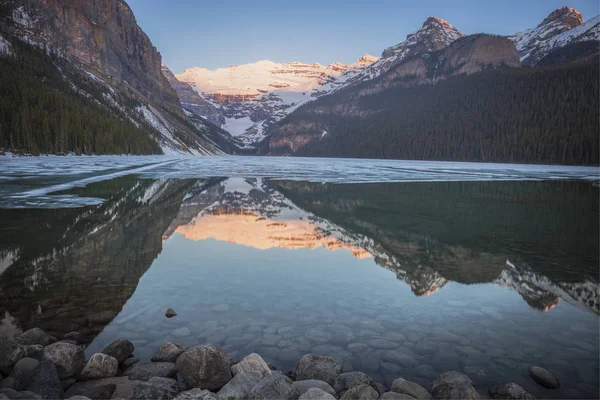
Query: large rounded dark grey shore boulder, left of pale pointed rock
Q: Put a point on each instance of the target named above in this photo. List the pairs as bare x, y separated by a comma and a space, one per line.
205, 366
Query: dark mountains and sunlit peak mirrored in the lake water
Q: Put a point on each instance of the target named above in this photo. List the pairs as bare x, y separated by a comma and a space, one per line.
74, 269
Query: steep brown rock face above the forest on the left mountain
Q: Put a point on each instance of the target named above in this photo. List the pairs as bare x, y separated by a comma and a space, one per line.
102, 40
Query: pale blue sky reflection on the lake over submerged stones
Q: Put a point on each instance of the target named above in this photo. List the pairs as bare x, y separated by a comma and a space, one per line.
283, 303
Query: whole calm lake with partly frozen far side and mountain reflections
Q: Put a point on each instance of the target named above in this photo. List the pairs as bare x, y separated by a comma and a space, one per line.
395, 268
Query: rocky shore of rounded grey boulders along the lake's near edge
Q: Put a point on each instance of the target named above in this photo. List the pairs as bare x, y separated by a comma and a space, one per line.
36, 365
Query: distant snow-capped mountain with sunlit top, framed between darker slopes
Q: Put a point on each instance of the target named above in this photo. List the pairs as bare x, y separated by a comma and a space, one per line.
253, 97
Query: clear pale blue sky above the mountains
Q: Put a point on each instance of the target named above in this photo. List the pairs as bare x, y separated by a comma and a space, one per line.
218, 33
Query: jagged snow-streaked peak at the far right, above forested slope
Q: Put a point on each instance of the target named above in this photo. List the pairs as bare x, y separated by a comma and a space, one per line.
563, 26
